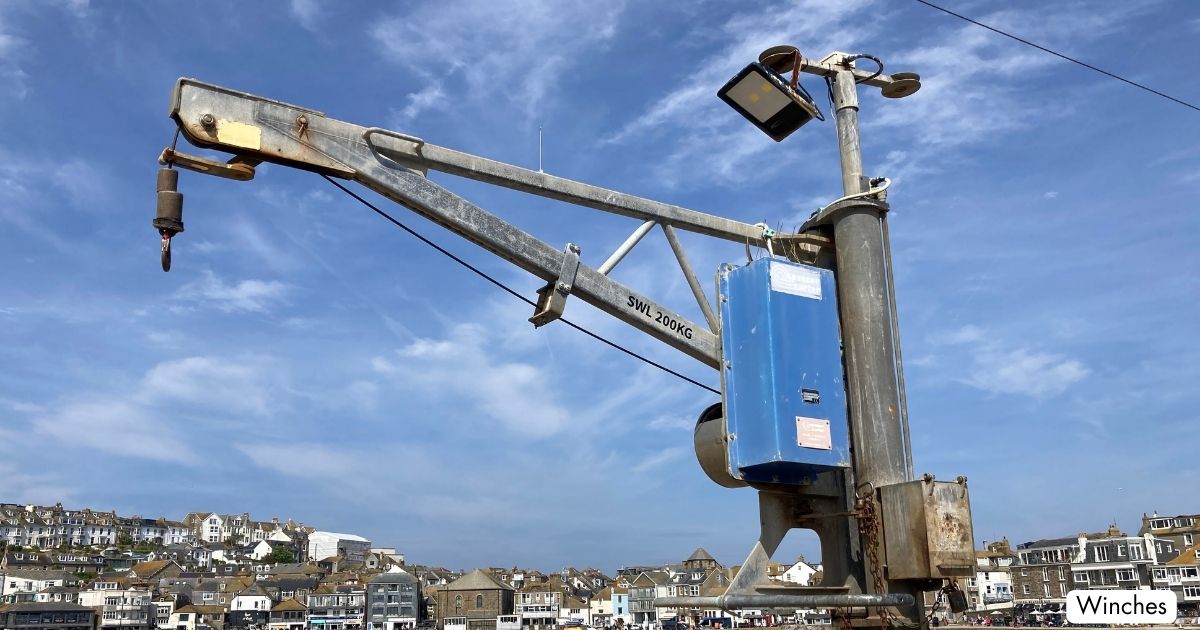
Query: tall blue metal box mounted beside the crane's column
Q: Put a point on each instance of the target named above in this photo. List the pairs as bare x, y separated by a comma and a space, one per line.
785, 395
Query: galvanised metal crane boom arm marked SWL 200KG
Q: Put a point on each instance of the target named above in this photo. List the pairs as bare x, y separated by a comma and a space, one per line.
257, 129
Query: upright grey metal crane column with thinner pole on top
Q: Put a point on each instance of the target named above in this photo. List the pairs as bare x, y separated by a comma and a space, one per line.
879, 439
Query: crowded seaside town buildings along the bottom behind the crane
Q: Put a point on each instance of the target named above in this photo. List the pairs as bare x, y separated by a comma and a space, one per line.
87, 569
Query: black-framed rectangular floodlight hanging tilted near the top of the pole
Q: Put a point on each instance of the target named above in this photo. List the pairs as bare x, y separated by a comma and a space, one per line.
766, 99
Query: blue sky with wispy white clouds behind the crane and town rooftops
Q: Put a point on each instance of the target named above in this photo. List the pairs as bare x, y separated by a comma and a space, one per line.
307, 361
